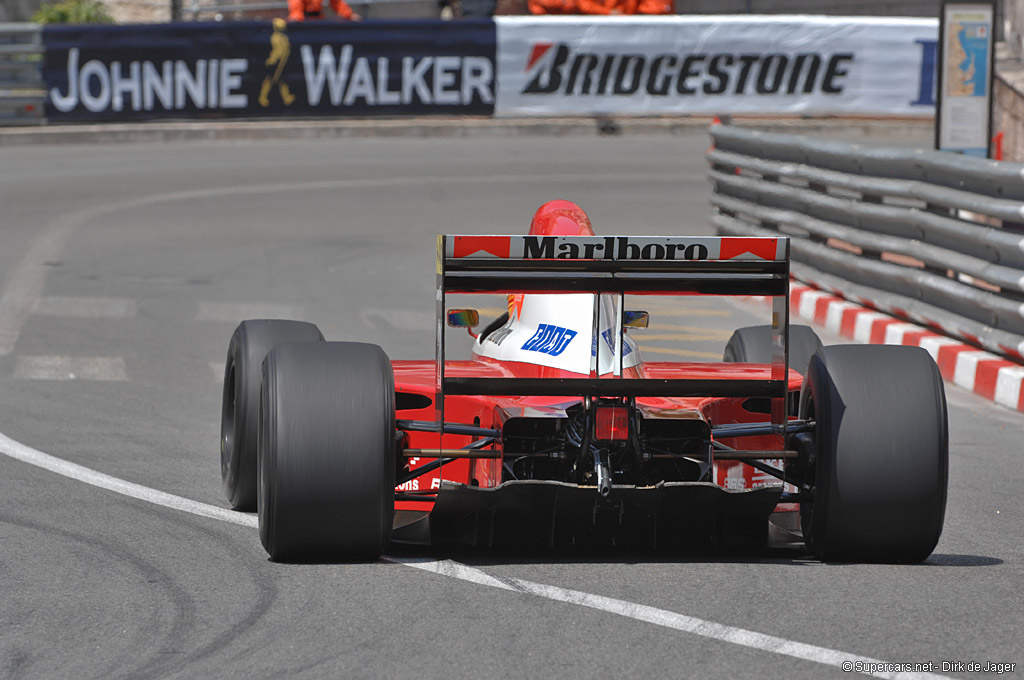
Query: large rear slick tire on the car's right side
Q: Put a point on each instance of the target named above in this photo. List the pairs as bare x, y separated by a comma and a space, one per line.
879, 456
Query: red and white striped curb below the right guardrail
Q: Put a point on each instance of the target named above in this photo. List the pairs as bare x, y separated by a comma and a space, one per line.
984, 373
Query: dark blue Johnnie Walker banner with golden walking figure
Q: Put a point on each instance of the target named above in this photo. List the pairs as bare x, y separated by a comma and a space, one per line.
269, 69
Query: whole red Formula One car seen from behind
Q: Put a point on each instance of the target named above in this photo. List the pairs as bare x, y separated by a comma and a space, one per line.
557, 431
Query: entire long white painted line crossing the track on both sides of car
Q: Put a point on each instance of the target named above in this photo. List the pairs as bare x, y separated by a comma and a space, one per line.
454, 570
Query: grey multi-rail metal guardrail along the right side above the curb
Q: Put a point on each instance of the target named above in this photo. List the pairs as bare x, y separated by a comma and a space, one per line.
932, 237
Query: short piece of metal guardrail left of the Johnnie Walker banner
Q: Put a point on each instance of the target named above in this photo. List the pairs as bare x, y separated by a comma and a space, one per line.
22, 93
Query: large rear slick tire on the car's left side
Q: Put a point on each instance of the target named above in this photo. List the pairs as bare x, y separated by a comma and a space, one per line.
327, 452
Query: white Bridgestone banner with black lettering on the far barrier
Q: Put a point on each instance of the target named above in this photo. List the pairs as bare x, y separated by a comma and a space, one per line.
651, 66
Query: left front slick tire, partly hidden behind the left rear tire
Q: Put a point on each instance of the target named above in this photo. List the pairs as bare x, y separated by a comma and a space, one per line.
240, 405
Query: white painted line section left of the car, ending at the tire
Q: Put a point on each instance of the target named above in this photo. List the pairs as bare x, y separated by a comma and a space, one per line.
80, 474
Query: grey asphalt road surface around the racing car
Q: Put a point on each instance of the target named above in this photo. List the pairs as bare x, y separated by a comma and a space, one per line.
125, 270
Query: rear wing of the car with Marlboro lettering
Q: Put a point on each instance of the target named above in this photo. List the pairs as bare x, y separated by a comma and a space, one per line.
662, 266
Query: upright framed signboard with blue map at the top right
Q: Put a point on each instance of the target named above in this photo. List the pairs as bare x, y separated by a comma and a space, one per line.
963, 119
